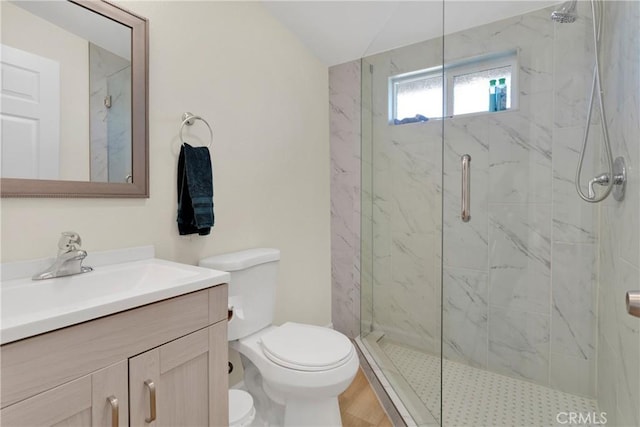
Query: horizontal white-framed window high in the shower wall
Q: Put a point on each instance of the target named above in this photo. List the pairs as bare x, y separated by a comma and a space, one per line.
466, 88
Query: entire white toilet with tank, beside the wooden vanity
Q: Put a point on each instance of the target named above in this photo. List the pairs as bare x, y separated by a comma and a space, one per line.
294, 372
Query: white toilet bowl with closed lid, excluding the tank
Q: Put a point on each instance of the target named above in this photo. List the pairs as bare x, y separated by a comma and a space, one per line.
303, 368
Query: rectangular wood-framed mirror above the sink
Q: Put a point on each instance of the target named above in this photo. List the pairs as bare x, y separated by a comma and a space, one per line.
74, 100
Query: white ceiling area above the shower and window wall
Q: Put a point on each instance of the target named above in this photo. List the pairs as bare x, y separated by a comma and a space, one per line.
341, 31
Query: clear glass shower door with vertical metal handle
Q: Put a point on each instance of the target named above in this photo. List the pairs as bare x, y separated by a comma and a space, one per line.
534, 327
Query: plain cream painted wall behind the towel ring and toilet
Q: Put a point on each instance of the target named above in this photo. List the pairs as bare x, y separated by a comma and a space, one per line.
266, 98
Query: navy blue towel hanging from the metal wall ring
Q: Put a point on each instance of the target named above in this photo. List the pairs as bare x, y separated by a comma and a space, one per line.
195, 191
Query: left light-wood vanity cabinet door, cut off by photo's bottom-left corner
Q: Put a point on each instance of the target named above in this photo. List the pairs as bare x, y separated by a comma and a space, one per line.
88, 401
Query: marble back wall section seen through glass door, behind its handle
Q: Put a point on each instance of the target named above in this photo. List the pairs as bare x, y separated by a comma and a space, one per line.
519, 280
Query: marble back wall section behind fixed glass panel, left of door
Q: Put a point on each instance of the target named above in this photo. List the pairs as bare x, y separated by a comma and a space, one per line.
406, 204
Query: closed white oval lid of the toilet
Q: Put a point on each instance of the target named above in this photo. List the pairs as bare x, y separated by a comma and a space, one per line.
306, 347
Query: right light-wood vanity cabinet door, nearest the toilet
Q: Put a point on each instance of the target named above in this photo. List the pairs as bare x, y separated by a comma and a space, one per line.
182, 382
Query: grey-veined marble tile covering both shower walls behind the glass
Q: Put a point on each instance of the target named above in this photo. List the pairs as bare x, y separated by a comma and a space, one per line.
520, 281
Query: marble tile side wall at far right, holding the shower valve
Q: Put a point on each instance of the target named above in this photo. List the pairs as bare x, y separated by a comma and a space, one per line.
618, 350
